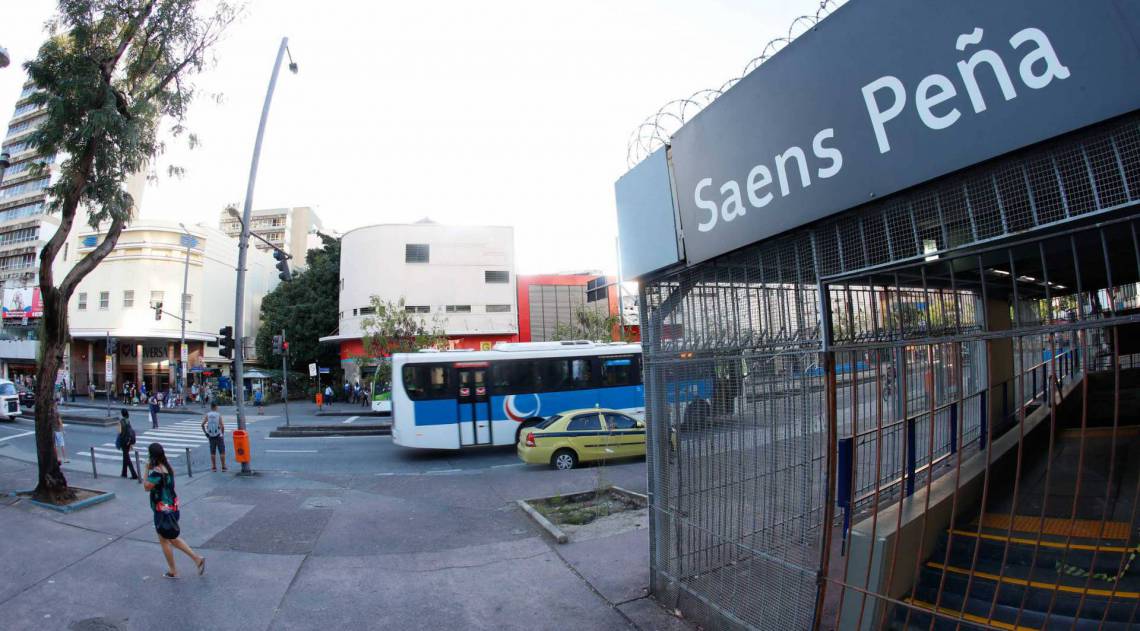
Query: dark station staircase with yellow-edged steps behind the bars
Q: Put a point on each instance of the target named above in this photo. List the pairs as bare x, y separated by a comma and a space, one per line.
1036, 578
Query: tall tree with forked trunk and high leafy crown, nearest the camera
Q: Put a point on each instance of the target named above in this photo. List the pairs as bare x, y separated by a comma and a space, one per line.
110, 72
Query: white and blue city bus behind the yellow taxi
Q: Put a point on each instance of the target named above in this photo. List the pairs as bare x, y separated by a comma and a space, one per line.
459, 399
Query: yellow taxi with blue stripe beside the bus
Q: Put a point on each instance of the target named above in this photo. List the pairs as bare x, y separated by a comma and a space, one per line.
585, 436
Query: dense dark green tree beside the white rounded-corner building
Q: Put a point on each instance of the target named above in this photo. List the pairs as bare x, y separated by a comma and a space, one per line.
306, 309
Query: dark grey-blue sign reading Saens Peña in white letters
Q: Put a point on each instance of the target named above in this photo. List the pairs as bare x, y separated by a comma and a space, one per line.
885, 95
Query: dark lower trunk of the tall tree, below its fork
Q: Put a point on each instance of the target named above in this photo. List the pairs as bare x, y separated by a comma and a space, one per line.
53, 486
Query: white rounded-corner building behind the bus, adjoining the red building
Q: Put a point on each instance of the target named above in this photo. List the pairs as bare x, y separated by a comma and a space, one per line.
460, 277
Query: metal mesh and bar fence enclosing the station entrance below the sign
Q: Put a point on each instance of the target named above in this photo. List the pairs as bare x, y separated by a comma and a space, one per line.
805, 390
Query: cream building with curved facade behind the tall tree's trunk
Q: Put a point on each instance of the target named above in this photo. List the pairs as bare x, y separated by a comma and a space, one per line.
146, 268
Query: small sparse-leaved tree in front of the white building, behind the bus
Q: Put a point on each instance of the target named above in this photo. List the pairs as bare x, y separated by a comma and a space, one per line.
394, 330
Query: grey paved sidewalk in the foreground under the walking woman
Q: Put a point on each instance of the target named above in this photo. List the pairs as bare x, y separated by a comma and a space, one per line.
299, 552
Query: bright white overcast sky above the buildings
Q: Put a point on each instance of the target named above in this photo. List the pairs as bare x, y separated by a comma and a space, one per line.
504, 113
